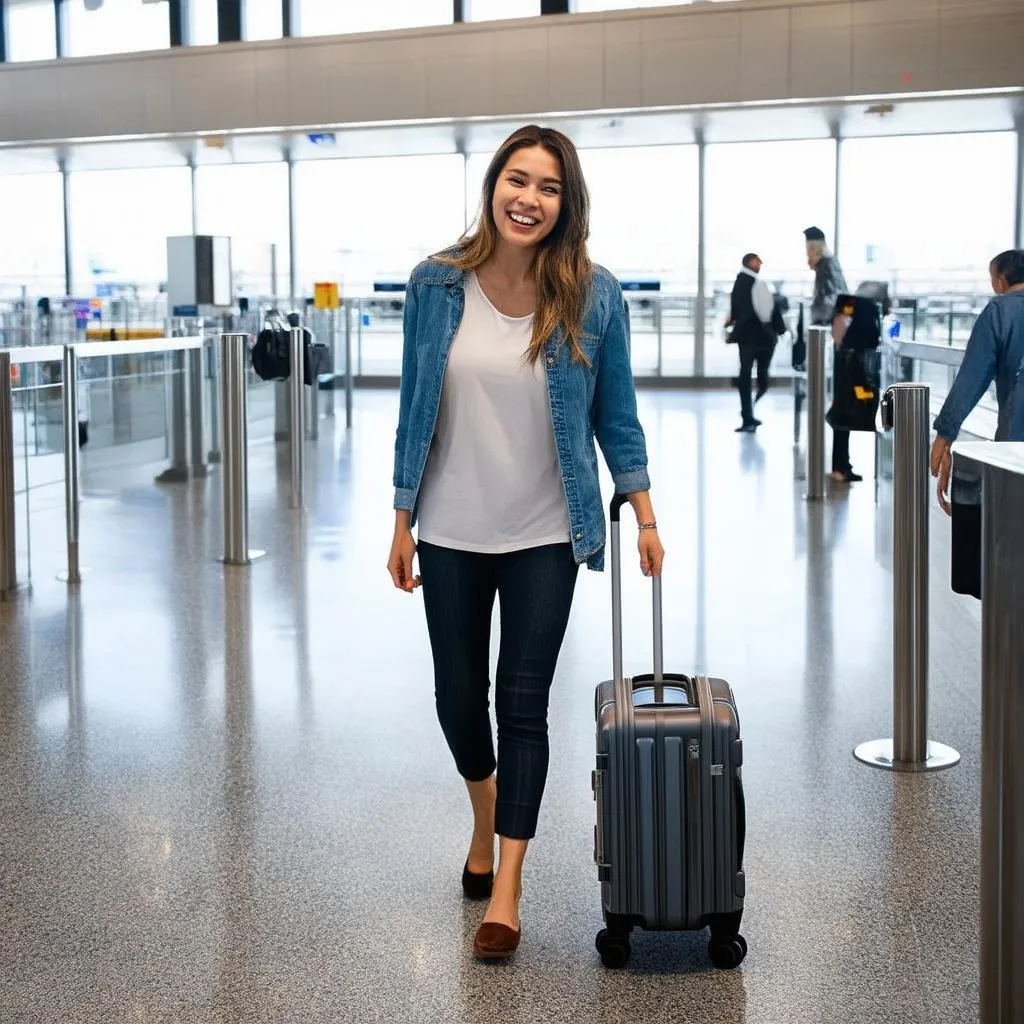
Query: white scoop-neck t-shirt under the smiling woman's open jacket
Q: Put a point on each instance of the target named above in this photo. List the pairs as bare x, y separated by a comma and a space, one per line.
493, 483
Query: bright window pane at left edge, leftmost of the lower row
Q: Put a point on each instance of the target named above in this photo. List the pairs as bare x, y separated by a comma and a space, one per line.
32, 214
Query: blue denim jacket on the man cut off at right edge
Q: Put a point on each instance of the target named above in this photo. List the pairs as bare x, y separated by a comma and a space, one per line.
996, 351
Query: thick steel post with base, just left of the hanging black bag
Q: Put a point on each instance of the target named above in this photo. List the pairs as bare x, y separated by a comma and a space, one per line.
234, 402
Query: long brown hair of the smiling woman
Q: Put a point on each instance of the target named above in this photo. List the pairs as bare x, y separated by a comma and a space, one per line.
562, 267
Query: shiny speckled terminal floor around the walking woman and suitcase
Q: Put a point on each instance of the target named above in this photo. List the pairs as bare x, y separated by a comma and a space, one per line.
225, 796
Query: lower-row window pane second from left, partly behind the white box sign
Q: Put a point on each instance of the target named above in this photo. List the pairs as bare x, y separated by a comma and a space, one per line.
120, 225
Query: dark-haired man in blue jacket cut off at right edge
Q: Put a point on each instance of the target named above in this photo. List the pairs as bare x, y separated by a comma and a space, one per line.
995, 352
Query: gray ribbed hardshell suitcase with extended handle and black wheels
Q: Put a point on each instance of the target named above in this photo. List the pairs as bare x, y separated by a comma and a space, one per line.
671, 819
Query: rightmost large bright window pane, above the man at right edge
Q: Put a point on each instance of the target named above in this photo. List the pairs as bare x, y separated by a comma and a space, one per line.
927, 214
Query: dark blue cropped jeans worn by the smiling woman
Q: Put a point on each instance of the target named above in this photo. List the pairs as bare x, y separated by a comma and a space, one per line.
535, 593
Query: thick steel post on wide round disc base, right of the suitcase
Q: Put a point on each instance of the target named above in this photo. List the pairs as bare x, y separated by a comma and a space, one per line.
905, 410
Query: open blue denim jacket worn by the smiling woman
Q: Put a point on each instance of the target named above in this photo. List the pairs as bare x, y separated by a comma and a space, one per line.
599, 401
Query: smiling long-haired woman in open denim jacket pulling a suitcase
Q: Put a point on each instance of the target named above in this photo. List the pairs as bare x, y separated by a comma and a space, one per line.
517, 357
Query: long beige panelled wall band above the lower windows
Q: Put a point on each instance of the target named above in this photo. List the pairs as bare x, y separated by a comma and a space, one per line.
721, 54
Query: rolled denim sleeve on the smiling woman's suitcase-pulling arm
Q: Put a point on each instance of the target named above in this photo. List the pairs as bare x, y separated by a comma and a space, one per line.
615, 412
